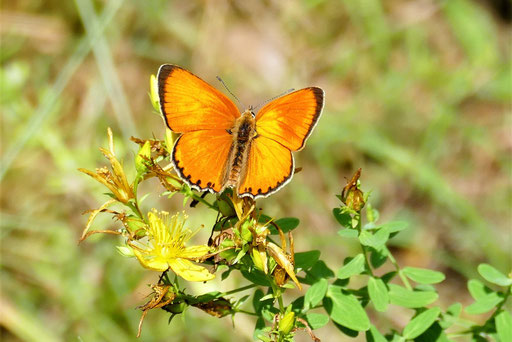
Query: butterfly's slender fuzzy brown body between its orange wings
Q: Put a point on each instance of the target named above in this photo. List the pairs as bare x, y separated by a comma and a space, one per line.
243, 132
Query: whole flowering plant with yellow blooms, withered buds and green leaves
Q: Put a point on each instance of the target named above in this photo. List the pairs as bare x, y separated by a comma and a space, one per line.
242, 242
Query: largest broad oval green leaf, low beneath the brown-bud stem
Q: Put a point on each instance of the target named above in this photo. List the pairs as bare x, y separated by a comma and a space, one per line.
346, 310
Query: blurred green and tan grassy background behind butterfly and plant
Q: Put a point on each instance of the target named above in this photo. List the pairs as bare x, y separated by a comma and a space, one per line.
418, 94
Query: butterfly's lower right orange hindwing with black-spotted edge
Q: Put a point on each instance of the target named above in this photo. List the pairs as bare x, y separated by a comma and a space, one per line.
269, 167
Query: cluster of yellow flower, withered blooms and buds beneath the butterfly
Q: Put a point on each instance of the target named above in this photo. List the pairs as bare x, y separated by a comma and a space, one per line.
160, 241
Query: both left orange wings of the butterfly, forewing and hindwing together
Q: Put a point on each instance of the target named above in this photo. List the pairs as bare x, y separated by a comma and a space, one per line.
203, 114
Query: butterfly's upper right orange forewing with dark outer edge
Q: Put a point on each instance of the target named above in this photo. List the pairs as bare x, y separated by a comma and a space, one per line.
290, 119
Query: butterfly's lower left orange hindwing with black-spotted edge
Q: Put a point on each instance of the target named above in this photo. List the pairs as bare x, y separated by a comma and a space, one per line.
200, 158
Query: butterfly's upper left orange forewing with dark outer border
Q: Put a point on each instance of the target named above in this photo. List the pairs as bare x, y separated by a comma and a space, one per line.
189, 104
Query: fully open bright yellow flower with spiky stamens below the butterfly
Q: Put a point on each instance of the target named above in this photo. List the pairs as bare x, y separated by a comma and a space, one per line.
165, 247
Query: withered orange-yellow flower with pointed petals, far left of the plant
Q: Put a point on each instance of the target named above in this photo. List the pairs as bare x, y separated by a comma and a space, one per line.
114, 180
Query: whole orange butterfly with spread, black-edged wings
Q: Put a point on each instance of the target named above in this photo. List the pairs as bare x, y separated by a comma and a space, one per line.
220, 147
